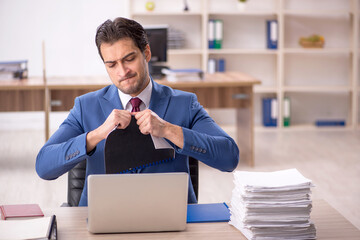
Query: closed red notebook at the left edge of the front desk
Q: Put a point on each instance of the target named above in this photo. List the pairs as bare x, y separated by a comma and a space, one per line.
20, 211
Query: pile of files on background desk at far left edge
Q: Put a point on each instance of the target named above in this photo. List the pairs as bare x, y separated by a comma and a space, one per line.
13, 70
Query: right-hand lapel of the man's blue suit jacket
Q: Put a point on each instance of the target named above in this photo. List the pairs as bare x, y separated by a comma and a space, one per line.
159, 100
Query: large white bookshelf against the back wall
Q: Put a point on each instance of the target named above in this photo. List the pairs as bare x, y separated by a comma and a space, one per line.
321, 83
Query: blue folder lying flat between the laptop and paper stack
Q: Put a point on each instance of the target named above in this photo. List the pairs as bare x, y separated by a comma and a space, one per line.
212, 212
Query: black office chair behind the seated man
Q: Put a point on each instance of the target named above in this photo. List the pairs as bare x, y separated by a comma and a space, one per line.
76, 181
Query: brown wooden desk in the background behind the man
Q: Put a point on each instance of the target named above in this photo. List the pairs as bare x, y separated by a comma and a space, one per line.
220, 90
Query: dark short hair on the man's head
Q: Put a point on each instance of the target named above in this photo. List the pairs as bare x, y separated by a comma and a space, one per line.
113, 31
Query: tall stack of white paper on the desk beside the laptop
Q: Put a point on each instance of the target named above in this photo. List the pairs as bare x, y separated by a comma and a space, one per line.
272, 205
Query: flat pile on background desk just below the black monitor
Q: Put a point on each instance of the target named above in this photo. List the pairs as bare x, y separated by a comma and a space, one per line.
188, 74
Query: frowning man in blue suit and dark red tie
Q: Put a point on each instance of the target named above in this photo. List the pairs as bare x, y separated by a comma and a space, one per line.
163, 112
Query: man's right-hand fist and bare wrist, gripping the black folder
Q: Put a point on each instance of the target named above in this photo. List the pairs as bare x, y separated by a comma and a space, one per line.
150, 123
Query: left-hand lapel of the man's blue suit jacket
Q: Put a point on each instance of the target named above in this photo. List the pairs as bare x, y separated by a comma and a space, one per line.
110, 100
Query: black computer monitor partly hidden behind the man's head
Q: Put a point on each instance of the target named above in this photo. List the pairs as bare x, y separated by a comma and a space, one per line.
157, 36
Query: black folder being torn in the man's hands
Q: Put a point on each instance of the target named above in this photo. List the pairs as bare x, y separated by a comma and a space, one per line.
122, 147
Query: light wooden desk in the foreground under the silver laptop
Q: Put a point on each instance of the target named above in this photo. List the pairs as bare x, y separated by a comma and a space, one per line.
329, 224
